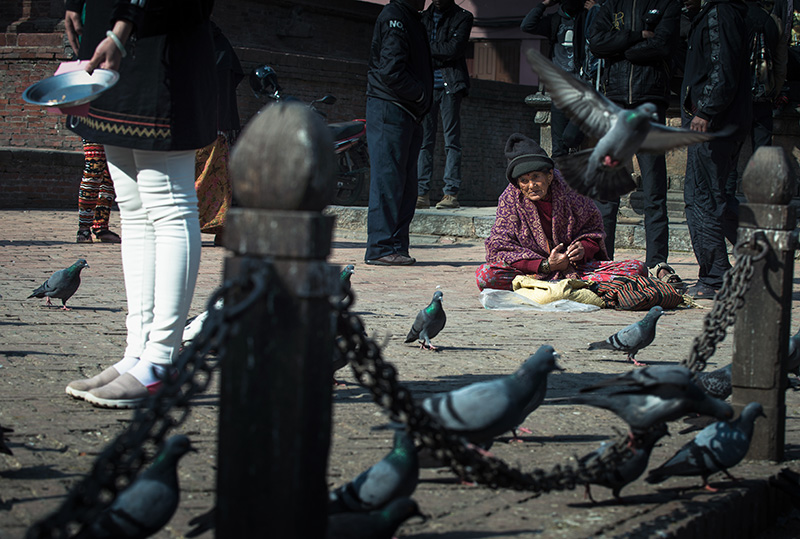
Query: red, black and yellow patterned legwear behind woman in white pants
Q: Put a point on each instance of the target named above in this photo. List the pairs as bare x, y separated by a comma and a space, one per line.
96, 192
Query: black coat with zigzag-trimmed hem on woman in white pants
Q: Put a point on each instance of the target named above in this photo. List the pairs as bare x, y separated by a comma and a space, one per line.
166, 97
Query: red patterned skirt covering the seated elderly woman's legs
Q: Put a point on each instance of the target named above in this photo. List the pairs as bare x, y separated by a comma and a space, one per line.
500, 277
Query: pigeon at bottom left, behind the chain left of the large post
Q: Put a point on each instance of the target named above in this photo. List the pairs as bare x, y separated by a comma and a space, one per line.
148, 503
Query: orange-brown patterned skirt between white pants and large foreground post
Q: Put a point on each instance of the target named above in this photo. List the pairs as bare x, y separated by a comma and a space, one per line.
213, 185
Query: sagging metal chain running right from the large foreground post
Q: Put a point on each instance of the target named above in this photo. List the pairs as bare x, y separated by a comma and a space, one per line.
464, 459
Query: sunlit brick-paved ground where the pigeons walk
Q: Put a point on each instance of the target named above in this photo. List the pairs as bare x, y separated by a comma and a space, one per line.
56, 438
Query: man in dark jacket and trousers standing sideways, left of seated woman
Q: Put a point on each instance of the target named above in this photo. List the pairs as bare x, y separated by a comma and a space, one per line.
399, 94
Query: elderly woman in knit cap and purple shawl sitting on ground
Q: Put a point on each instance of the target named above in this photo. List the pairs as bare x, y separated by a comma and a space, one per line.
544, 228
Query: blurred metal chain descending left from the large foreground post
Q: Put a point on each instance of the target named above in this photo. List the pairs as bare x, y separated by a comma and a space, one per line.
121, 460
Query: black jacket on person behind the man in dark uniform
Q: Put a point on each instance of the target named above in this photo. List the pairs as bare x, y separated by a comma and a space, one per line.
449, 49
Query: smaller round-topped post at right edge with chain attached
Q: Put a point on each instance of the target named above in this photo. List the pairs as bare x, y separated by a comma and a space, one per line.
762, 326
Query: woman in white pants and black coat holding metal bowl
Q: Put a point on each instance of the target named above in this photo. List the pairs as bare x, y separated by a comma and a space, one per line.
151, 123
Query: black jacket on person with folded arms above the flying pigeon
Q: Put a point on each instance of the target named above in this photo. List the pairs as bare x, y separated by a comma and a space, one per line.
636, 69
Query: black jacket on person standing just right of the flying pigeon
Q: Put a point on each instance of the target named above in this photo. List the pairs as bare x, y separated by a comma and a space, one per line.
716, 85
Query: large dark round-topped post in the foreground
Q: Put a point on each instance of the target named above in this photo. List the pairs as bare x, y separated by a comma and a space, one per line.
275, 396
